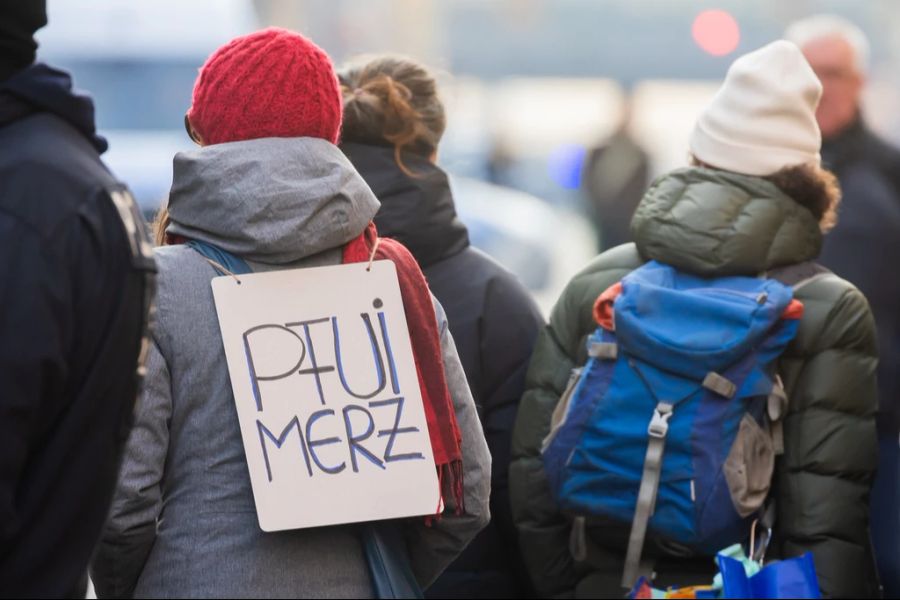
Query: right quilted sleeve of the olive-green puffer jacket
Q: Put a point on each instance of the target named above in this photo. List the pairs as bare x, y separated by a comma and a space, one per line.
825, 475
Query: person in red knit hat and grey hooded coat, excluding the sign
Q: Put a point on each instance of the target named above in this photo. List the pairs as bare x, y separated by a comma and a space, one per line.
183, 521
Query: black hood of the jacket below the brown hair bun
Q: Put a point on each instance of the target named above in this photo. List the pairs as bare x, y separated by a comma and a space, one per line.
417, 211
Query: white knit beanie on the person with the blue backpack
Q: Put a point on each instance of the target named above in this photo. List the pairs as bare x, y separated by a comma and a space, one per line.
763, 118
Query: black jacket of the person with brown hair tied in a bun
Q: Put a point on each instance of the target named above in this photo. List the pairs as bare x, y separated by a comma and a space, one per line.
494, 323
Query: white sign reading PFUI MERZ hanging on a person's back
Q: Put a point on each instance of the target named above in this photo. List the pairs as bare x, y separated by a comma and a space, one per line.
327, 395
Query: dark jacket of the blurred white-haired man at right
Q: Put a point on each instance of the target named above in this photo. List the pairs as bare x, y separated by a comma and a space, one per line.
864, 248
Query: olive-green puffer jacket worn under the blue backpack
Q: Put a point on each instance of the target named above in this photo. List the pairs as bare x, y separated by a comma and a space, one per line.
715, 223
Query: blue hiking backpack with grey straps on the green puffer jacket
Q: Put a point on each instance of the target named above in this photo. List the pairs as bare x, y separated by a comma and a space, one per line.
673, 422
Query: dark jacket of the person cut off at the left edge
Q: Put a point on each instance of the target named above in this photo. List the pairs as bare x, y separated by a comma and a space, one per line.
75, 290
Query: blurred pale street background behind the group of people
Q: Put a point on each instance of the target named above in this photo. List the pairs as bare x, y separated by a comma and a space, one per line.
555, 107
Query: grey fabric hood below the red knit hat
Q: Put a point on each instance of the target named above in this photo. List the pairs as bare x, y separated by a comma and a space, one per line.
270, 200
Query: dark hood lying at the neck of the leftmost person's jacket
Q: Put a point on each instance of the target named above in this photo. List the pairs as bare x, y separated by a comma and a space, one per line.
42, 88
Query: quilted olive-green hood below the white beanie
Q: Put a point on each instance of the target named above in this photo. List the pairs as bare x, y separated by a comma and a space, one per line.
714, 223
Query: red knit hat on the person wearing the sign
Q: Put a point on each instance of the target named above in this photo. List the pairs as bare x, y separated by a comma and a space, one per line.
271, 83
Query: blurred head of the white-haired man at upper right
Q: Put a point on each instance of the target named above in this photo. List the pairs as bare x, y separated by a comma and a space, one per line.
838, 52
